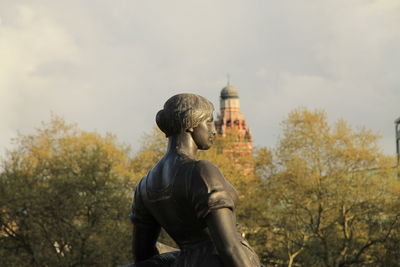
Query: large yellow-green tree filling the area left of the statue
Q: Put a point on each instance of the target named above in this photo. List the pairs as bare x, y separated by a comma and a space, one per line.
64, 199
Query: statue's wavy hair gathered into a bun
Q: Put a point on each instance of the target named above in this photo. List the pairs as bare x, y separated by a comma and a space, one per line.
182, 112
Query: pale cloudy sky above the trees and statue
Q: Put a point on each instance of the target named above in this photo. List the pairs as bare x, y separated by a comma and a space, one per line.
109, 66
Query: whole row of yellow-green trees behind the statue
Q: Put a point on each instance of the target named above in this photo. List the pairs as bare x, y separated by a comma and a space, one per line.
325, 196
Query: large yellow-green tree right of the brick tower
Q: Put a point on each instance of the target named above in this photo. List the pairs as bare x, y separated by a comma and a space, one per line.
328, 198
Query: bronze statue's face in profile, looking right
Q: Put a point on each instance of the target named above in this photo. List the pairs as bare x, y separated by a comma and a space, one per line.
204, 134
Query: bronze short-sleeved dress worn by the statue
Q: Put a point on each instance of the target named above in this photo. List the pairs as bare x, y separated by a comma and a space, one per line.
179, 199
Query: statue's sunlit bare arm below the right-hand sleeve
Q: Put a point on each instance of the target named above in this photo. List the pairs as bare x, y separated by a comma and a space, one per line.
223, 231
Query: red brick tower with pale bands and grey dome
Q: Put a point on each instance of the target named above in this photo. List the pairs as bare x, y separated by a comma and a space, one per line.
232, 124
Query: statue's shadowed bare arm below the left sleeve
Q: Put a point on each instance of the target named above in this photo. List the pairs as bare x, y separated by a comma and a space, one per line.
144, 241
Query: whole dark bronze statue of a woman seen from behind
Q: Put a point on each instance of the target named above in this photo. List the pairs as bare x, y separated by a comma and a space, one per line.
187, 197
